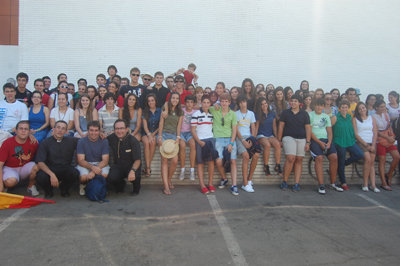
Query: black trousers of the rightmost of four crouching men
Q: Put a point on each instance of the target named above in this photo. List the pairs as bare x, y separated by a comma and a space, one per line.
118, 173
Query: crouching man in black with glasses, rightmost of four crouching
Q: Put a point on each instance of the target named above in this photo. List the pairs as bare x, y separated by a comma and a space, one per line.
125, 158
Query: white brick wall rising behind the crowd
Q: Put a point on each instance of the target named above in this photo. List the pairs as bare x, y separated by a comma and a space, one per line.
331, 43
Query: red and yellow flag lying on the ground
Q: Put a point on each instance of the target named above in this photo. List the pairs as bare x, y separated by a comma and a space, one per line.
12, 201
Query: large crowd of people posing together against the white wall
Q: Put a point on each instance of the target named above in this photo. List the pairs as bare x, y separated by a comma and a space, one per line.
56, 136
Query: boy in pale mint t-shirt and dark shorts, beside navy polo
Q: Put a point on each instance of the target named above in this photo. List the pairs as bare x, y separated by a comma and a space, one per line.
321, 144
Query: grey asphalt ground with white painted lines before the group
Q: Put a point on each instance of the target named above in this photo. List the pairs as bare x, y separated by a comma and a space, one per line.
268, 227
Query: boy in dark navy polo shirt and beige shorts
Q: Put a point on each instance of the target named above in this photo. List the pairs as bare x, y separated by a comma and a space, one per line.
295, 135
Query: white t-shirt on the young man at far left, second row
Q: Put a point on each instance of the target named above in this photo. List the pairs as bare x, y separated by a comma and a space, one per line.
11, 114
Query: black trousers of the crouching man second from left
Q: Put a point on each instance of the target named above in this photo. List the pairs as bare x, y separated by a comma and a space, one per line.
66, 176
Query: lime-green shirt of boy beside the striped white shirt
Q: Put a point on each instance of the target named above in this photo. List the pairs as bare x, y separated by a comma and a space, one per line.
223, 130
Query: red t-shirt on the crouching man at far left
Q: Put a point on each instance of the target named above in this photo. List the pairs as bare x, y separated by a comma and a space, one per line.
14, 154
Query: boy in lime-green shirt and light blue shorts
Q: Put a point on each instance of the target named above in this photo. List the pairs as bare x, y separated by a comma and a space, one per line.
224, 128
